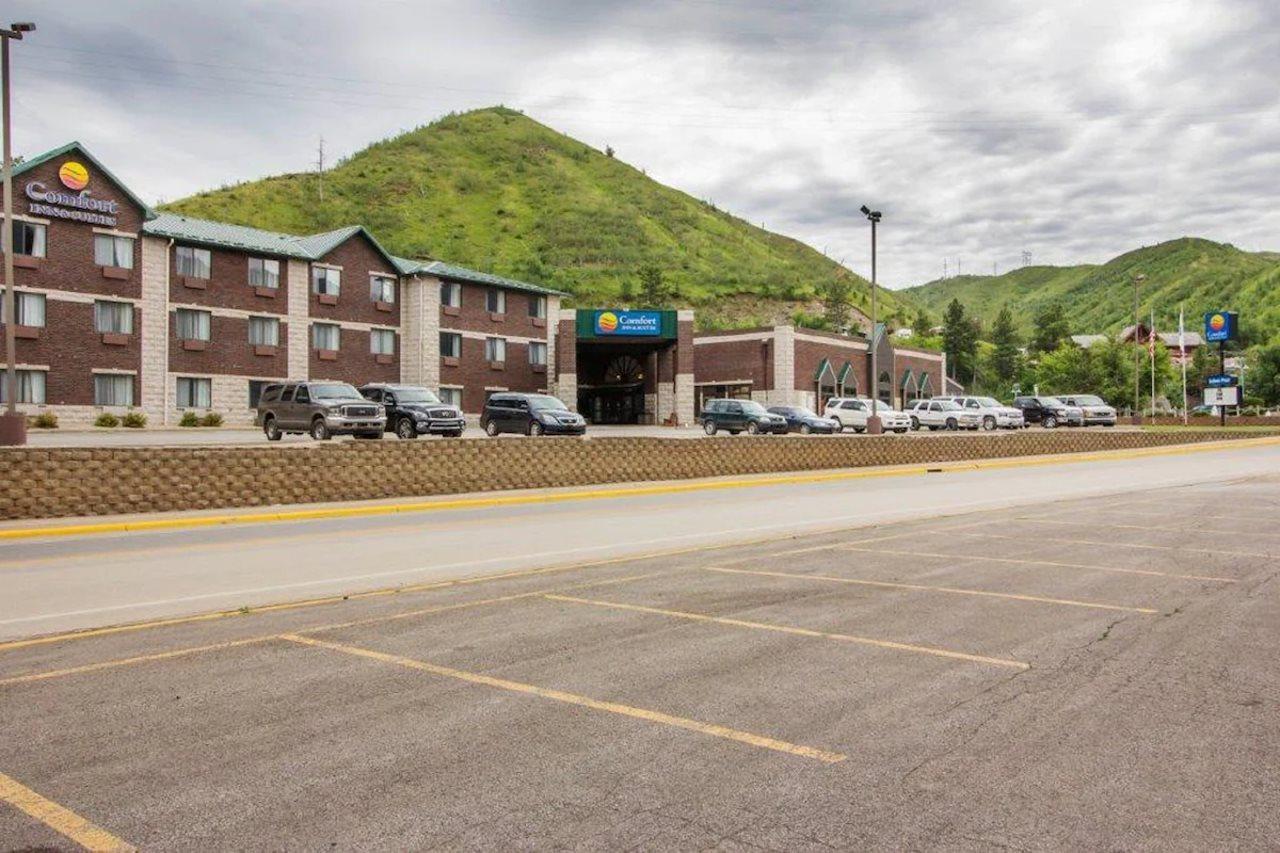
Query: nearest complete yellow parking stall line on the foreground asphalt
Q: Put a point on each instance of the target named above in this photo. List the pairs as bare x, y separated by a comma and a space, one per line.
573, 699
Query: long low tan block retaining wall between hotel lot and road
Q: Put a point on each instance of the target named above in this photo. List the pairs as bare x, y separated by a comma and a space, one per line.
75, 482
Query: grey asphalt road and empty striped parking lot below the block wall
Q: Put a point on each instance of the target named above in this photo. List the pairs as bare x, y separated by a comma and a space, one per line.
1077, 655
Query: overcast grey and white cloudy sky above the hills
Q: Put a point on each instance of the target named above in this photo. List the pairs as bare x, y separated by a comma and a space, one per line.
1075, 130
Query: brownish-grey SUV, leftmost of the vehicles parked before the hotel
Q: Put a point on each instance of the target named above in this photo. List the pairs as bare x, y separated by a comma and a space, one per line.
323, 409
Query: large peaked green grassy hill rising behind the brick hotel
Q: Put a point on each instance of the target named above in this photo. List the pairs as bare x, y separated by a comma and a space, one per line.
497, 191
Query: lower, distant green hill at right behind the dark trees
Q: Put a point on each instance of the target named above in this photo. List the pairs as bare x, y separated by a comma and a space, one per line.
1199, 275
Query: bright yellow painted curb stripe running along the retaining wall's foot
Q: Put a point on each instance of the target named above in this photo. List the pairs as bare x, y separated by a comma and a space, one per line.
607, 494
